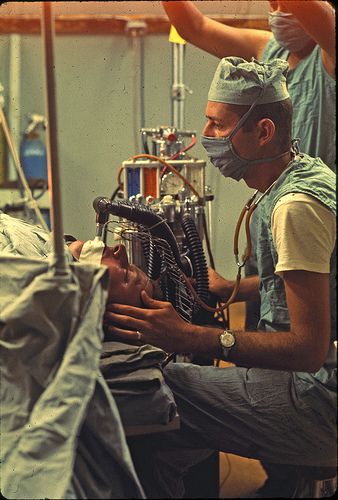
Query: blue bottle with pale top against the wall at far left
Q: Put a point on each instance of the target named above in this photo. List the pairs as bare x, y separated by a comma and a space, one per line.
33, 153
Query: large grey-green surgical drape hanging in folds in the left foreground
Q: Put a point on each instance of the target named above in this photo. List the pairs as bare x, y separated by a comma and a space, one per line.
55, 406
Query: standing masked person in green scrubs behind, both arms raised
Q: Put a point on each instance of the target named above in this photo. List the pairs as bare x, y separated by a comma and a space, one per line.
301, 33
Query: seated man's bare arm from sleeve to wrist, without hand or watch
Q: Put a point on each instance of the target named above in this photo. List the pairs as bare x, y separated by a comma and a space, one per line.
304, 348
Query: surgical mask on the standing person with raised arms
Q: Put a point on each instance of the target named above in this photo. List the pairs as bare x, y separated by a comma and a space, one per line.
287, 31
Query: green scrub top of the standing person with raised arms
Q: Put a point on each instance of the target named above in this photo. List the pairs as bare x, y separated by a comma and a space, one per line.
313, 94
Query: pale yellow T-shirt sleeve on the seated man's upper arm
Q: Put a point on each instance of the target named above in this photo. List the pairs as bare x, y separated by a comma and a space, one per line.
304, 234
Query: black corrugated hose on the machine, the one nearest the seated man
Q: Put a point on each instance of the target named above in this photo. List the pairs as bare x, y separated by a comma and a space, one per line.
197, 257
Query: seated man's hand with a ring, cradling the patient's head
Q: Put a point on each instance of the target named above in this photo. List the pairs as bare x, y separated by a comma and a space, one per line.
159, 324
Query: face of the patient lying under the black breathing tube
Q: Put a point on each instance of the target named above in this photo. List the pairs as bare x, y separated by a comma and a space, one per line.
126, 280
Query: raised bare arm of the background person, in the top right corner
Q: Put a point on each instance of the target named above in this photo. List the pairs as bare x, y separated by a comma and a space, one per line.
317, 17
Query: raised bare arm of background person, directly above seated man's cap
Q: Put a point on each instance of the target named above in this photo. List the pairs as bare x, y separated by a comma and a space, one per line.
212, 36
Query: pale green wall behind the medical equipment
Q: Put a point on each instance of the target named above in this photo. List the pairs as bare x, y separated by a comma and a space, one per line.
95, 78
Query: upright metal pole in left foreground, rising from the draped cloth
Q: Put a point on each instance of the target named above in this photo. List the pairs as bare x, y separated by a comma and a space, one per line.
60, 262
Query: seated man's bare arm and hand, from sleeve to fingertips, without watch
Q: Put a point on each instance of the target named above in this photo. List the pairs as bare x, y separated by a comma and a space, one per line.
303, 348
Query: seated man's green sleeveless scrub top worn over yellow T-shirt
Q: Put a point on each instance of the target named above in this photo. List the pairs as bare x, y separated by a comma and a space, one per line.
312, 177
